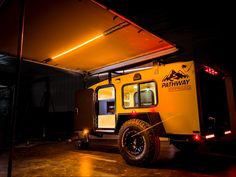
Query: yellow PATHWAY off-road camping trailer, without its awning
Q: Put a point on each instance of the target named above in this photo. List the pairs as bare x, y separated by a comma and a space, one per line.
184, 101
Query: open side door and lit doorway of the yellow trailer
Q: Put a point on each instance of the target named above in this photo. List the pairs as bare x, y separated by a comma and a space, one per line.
95, 110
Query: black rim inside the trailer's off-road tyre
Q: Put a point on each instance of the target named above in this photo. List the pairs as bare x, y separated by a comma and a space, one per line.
133, 144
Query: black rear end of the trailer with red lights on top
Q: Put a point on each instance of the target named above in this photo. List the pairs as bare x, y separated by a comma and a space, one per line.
213, 102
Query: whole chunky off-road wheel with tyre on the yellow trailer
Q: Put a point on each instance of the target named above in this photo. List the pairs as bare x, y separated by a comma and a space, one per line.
138, 144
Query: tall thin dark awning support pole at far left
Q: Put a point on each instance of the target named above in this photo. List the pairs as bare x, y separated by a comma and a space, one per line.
15, 99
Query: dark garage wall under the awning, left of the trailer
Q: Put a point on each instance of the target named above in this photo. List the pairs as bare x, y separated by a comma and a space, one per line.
46, 102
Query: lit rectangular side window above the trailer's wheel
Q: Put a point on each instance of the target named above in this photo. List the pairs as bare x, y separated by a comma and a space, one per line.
139, 95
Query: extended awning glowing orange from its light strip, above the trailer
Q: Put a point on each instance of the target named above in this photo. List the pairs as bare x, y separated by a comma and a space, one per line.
78, 35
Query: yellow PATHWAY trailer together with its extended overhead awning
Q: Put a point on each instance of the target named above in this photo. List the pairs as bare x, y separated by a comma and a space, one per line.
180, 101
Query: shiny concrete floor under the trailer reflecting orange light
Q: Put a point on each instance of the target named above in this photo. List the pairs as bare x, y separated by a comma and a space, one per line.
63, 159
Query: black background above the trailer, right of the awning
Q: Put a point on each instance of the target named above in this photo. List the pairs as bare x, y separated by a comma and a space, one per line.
202, 30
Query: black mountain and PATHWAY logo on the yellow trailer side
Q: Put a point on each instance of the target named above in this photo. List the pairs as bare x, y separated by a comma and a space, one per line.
177, 80
